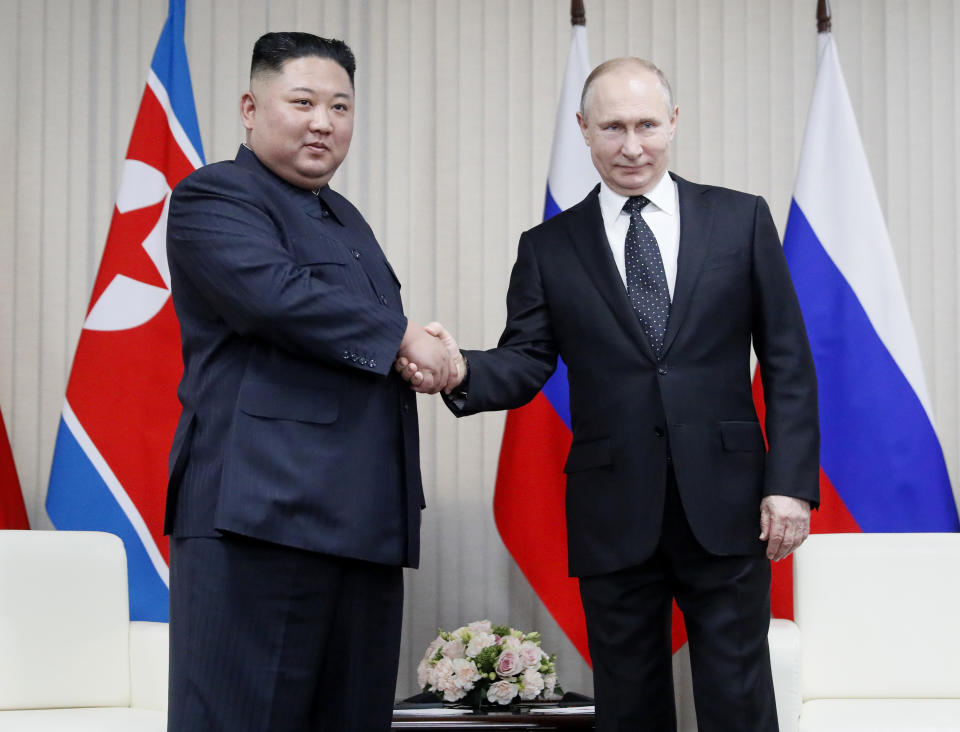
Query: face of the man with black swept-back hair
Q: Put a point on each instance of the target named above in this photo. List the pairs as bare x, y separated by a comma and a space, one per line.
300, 121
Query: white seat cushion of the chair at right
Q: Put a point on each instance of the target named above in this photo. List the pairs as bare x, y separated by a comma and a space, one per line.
881, 715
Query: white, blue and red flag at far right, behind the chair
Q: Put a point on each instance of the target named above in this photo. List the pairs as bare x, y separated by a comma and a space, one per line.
882, 467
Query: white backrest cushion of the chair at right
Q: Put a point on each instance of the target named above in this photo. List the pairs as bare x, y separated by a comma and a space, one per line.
879, 615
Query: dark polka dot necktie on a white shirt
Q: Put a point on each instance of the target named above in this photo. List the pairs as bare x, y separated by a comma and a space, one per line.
646, 279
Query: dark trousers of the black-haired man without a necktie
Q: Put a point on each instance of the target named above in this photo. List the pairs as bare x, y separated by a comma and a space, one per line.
267, 638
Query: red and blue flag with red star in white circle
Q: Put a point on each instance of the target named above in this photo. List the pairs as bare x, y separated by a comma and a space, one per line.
109, 468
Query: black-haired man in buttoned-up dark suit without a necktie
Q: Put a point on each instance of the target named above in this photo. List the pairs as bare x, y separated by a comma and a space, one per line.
294, 497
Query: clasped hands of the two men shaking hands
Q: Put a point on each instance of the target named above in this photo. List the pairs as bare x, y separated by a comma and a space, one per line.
430, 359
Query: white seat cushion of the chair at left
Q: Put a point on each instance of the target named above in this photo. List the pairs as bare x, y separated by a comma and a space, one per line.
83, 720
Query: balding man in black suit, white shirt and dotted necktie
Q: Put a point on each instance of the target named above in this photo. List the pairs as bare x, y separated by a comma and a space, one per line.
651, 290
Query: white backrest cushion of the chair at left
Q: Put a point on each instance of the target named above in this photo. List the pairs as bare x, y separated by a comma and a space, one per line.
64, 620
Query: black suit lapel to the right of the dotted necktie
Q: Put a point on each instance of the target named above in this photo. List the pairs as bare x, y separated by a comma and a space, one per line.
696, 222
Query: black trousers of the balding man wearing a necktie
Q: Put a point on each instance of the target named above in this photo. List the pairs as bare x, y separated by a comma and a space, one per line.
726, 607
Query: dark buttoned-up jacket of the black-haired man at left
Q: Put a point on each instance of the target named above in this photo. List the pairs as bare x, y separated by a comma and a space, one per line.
295, 428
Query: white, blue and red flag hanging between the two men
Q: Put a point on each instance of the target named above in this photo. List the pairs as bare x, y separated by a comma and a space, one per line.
528, 502
